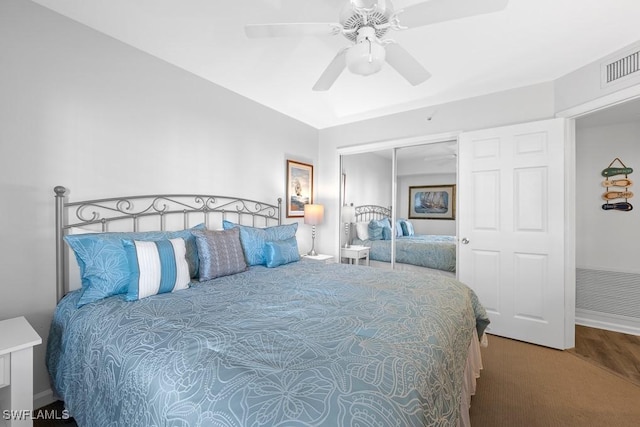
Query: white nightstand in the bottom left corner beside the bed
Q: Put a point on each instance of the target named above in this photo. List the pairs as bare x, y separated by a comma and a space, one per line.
17, 339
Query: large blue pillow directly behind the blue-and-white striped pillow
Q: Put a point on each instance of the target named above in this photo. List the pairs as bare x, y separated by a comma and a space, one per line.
104, 268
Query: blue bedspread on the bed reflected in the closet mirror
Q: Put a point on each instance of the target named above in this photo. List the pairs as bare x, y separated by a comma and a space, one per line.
433, 251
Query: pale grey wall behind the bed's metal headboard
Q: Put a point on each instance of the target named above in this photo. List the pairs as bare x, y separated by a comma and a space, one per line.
83, 110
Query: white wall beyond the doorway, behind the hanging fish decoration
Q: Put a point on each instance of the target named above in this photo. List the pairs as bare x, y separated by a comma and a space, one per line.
606, 240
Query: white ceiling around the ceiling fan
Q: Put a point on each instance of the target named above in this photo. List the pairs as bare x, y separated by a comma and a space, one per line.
531, 41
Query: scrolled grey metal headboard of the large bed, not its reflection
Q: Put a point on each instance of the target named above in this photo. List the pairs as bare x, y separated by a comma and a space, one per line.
128, 212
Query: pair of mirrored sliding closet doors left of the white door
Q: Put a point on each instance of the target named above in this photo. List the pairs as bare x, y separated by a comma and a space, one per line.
410, 191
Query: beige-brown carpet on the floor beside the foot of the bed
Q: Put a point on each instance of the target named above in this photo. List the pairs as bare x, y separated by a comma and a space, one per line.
527, 385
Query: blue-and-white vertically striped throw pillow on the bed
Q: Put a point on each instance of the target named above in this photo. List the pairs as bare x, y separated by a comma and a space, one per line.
156, 267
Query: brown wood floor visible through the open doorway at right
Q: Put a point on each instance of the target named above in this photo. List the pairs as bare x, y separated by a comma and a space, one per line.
613, 351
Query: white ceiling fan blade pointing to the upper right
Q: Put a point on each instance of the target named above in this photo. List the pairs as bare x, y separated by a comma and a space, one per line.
434, 11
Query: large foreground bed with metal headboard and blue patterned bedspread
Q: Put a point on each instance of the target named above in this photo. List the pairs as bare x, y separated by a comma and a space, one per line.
301, 343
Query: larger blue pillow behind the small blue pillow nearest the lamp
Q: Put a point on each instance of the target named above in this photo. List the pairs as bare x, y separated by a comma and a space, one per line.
253, 239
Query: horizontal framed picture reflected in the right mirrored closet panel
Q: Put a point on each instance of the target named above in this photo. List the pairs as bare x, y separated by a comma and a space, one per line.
432, 202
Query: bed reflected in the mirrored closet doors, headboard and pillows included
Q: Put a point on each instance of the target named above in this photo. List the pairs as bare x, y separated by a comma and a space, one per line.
436, 253
